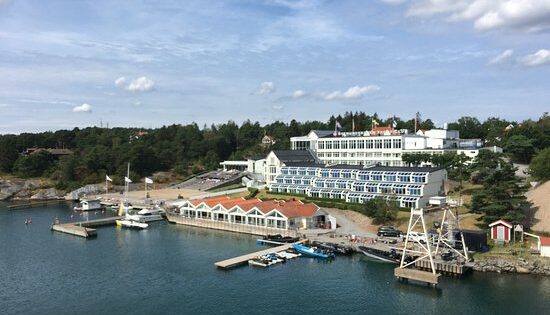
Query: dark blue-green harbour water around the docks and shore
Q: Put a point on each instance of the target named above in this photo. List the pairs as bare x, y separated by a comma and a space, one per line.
169, 269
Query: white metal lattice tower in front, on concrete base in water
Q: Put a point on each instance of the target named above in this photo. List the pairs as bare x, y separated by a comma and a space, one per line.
425, 251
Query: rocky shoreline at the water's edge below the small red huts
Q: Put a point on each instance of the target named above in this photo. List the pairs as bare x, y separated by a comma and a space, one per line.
536, 266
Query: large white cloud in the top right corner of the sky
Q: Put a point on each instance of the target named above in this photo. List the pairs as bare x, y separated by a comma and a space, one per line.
527, 15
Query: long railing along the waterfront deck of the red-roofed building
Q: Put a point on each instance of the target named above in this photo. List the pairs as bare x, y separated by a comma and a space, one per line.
233, 227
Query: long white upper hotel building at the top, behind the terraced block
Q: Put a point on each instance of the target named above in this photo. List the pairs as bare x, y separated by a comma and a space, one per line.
382, 145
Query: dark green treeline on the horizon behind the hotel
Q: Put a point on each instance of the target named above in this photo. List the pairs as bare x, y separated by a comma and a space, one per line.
188, 149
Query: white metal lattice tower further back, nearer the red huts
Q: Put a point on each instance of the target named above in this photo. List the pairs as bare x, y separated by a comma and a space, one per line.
445, 234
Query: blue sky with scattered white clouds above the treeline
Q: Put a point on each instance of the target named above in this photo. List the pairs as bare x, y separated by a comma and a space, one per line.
66, 64
